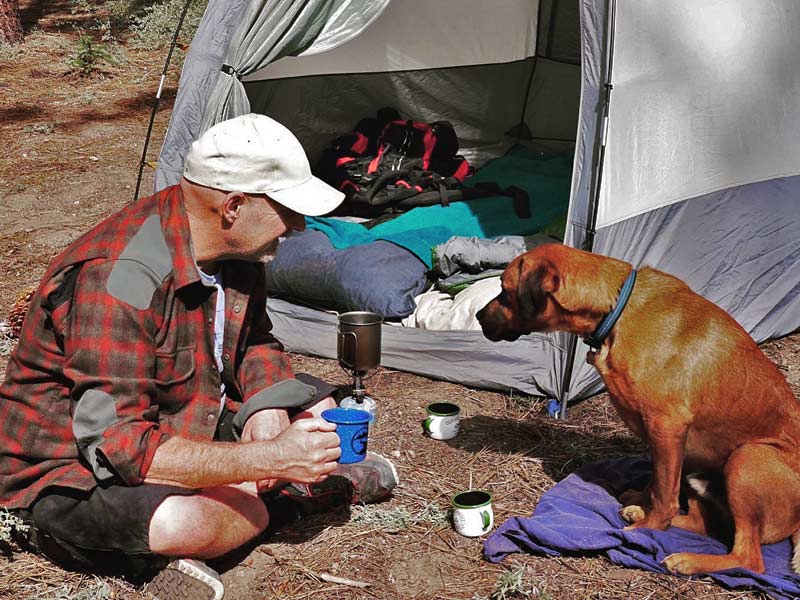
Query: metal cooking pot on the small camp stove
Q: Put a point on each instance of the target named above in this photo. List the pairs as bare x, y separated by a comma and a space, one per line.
358, 343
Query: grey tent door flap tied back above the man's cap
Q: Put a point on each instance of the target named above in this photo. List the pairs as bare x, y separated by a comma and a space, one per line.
253, 34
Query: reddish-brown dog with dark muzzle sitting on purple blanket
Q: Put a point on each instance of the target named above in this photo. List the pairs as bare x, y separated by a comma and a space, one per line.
687, 379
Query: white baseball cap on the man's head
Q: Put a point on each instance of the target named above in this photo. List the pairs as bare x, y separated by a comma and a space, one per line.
255, 154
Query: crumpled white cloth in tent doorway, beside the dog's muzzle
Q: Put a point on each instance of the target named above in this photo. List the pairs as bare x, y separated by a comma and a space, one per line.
440, 311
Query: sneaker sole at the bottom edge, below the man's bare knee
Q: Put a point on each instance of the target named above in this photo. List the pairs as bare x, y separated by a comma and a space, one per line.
186, 579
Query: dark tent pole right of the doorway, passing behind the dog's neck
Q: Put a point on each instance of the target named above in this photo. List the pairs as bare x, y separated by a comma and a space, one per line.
598, 162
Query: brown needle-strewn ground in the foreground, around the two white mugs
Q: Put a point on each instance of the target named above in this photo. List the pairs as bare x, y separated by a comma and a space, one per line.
406, 547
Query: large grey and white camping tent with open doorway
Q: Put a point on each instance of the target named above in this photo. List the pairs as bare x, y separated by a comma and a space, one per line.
683, 116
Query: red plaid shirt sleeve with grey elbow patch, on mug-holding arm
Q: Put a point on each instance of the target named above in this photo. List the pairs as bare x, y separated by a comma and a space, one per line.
110, 353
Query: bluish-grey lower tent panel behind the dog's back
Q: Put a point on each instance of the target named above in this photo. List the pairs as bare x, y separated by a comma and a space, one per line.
740, 248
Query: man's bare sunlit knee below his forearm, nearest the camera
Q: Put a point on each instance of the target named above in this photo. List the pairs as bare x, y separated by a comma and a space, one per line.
208, 524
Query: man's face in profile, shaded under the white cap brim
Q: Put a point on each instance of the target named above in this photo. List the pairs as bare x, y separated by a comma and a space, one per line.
261, 222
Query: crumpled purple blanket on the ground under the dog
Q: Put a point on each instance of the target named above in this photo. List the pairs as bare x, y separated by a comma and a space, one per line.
579, 516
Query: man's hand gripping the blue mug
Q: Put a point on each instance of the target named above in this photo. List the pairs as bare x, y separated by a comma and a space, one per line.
306, 452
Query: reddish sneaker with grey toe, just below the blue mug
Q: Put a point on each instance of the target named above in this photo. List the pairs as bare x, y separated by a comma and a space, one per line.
370, 480
